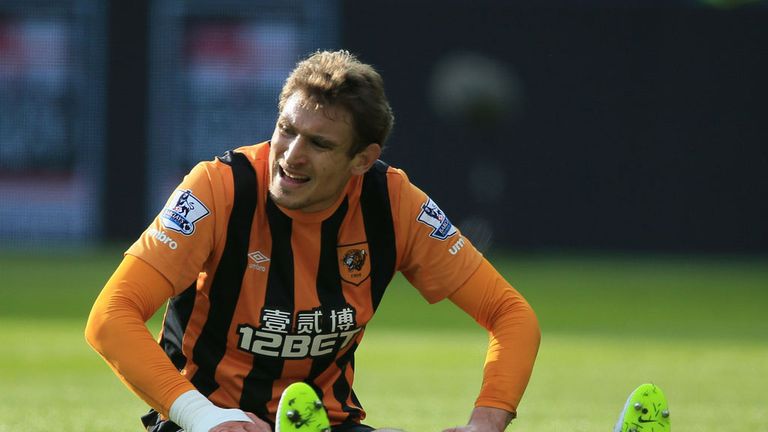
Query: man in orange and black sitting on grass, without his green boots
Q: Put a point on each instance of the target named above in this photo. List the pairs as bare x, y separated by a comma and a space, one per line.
280, 258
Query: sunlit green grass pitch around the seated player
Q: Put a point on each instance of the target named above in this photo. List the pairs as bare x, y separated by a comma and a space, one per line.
695, 326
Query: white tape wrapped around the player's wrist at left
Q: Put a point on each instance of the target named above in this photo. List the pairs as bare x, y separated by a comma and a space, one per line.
195, 413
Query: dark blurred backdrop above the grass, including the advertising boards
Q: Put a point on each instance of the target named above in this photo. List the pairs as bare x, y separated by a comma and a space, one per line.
577, 125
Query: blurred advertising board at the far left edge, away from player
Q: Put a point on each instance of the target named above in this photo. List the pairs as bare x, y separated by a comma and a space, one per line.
51, 108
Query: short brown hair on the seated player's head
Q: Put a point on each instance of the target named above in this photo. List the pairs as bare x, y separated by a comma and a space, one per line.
338, 78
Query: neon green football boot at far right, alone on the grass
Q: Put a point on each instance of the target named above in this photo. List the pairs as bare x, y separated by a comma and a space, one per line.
646, 410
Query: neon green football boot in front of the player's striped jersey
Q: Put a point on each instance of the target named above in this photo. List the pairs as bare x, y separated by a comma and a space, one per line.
300, 410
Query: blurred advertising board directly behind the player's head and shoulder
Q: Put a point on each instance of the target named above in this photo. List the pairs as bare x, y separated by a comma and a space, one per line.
216, 72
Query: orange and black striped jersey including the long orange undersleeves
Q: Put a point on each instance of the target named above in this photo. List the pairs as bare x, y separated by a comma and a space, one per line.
261, 296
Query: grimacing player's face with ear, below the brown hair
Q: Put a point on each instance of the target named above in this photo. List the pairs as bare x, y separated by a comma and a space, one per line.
309, 156
